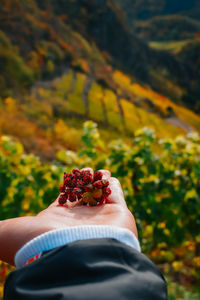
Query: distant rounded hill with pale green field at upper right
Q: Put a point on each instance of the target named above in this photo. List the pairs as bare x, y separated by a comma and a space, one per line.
176, 34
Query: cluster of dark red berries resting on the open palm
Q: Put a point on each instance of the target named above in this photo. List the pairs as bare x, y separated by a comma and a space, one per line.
85, 187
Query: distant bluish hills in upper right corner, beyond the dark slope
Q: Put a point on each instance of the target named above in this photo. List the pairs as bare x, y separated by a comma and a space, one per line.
167, 26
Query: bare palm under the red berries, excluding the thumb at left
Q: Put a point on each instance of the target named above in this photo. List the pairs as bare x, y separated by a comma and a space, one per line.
114, 213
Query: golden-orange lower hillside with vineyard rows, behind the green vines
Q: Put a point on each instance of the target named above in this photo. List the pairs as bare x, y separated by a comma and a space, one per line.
51, 115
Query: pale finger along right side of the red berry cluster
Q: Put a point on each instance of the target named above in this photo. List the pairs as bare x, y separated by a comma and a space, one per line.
116, 195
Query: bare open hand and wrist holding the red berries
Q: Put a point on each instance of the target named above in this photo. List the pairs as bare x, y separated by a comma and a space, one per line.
14, 233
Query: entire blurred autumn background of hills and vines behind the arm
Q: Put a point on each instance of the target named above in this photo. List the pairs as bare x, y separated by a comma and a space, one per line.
109, 84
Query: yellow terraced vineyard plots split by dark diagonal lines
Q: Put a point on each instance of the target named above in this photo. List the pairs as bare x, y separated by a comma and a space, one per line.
78, 95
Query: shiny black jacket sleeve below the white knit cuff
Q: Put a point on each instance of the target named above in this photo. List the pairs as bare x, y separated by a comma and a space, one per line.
95, 269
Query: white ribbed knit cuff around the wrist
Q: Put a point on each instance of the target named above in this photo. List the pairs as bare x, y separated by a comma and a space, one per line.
59, 237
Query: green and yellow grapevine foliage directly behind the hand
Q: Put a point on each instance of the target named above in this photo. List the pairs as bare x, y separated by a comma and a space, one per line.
160, 179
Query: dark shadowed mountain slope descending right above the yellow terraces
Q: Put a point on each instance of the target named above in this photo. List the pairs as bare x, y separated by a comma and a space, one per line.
105, 26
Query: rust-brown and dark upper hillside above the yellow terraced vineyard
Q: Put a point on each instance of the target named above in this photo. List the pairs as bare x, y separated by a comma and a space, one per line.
49, 36
